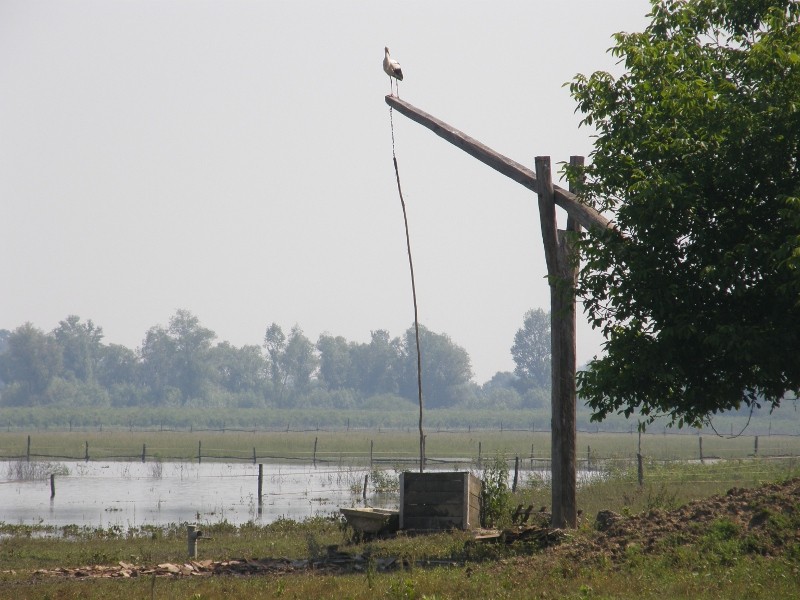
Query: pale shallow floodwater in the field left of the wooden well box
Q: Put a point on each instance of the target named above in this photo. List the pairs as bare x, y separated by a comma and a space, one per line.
129, 494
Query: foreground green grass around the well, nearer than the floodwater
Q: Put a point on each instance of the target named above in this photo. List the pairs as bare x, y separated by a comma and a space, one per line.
724, 563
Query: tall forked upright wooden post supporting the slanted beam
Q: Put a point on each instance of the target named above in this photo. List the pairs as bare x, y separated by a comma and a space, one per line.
562, 271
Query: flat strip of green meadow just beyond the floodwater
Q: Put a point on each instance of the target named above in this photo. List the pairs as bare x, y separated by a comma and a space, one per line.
346, 447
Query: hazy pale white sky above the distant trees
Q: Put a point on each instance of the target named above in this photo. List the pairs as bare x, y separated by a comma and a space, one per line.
233, 158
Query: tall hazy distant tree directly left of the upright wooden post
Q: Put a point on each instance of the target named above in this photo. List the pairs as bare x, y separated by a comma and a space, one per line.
531, 350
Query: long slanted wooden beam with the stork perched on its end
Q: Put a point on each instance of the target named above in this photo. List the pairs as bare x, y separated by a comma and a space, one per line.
583, 214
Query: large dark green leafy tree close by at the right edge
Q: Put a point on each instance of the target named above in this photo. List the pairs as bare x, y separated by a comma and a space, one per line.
696, 158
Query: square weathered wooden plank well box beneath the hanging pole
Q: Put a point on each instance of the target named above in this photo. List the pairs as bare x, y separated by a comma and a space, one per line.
440, 501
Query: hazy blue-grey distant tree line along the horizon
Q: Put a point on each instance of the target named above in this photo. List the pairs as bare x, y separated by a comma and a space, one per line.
183, 365
